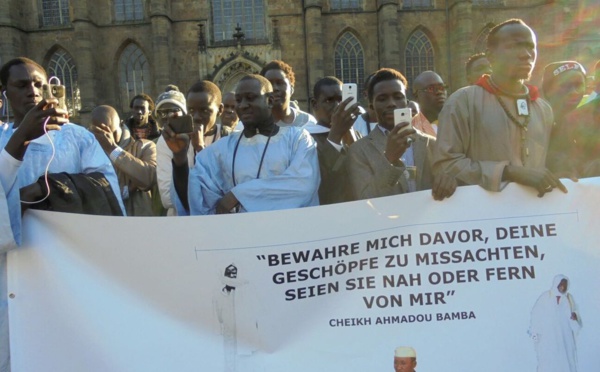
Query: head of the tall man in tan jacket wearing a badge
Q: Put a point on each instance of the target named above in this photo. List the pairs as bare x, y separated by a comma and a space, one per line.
515, 54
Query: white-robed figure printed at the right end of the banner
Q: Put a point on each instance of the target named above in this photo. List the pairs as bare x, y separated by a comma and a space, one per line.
555, 323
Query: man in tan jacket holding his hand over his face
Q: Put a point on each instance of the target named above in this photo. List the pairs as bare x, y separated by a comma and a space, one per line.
134, 160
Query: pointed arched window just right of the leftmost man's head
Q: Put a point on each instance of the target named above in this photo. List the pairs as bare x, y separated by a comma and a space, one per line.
63, 67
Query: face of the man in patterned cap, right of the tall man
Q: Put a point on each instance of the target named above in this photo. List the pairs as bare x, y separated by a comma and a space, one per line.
566, 91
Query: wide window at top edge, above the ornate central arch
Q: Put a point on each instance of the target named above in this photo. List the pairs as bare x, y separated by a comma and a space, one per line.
249, 14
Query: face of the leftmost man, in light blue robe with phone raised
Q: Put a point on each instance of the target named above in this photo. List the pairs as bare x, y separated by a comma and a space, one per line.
24, 88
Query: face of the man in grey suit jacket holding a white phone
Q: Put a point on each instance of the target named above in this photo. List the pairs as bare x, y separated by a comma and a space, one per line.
388, 95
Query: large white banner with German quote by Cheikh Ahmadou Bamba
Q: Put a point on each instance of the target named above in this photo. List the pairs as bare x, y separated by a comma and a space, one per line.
335, 288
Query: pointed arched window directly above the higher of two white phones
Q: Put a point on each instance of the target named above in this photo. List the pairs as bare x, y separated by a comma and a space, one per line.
350, 60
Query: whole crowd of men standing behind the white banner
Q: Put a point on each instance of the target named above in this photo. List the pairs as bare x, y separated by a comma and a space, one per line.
253, 150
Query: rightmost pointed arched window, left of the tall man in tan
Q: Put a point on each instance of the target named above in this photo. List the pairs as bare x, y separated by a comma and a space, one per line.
419, 55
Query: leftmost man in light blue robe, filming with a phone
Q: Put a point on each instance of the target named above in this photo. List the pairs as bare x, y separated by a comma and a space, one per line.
27, 152
